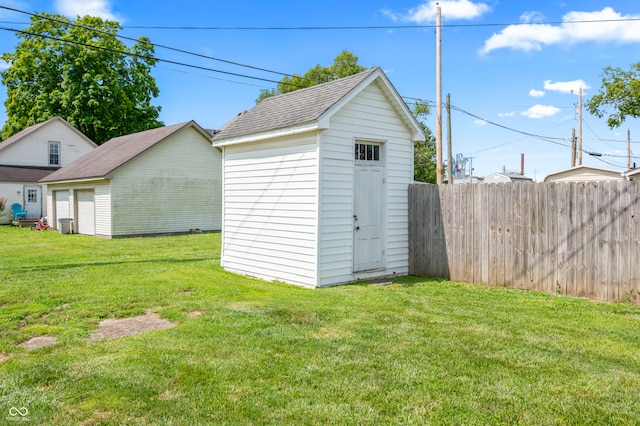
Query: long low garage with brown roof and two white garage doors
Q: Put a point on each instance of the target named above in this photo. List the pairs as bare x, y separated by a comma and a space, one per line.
161, 181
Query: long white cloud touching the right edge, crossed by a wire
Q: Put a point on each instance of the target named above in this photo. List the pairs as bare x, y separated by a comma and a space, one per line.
534, 36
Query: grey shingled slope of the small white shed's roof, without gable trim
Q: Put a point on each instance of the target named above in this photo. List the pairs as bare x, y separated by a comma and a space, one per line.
290, 109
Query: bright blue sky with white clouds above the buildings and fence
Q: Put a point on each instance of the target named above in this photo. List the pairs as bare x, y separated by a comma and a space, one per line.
507, 77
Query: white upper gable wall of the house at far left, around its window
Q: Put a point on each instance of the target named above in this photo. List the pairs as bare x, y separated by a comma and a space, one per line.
33, 149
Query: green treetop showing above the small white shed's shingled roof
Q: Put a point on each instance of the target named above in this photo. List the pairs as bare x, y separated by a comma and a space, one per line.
345, 64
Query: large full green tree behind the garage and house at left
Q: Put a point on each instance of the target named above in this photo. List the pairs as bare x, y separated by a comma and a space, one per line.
89, 78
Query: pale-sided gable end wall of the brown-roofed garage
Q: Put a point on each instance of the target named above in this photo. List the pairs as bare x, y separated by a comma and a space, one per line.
173, 187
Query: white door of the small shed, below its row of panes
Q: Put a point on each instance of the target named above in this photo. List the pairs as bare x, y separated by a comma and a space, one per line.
368, 218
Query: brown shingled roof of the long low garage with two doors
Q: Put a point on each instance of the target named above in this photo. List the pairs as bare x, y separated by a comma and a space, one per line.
116, 152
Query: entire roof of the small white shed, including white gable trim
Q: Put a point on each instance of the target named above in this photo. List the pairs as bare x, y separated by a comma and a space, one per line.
307, 106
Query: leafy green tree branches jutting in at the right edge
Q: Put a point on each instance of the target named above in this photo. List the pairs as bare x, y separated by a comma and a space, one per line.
620, 92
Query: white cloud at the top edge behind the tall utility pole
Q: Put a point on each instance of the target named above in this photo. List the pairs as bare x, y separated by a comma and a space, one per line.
449, 9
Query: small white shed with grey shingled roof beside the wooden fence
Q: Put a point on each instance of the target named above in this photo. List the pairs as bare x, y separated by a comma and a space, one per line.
315, 184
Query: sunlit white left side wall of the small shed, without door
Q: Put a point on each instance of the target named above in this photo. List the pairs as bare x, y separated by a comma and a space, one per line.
270, 209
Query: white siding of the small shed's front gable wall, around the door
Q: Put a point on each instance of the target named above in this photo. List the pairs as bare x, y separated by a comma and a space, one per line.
367, 117
